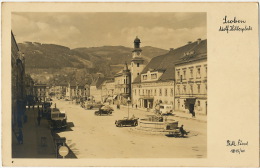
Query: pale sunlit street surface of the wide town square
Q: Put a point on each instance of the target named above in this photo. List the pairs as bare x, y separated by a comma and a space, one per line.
90, 136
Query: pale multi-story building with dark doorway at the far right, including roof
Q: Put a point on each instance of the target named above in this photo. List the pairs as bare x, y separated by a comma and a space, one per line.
191, 79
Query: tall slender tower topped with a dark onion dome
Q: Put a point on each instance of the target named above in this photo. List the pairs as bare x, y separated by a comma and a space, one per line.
137, 63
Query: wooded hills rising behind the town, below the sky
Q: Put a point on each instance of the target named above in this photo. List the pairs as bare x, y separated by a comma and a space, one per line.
48, 60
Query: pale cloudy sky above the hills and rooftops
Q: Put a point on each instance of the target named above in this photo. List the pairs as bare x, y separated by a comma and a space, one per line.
75, 30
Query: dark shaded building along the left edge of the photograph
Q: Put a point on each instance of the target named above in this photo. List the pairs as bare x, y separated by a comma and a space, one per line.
18, 84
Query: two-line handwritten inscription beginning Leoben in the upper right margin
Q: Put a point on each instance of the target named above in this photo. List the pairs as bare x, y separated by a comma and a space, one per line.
234, 25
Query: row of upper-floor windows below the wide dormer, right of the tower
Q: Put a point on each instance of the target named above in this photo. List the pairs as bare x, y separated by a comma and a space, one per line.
153, 92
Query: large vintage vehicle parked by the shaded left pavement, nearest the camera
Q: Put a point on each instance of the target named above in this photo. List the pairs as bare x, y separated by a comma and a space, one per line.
58, 119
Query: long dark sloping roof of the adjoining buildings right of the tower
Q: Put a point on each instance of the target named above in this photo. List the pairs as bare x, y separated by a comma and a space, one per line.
167, 61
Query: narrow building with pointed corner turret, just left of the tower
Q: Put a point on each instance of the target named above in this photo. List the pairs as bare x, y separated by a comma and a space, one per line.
123, 85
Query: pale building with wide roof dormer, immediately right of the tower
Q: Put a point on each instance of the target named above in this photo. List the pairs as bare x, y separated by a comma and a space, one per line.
156, 83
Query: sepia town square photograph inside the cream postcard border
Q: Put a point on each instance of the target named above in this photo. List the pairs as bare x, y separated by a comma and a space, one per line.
109, 85
